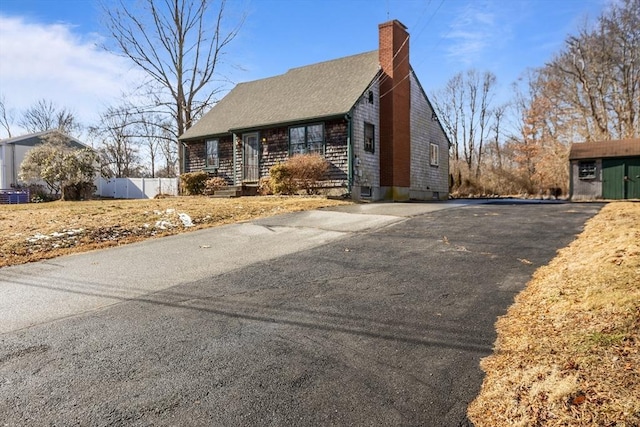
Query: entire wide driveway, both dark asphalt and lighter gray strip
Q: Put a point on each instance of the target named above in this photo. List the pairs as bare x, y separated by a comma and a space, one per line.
374, 315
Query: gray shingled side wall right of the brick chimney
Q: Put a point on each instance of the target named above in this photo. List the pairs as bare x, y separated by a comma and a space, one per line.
426, 178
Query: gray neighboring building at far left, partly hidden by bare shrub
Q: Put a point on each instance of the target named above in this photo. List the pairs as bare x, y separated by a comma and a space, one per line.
14, 150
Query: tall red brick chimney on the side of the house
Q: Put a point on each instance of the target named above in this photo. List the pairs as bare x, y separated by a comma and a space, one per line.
395, 107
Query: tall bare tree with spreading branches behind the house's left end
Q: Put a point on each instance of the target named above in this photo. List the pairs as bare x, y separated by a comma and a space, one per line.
178, 44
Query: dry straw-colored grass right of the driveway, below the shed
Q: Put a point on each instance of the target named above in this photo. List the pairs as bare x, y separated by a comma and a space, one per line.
568, 350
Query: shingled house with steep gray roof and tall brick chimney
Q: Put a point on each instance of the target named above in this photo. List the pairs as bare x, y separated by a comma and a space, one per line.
367, 114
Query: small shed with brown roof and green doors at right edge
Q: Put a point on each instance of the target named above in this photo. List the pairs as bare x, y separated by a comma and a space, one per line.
605, 170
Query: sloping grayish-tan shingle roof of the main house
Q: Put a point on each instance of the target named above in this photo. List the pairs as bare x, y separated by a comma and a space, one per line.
320, 90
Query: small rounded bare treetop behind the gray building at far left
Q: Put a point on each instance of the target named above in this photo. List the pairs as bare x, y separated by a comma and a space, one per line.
45, 115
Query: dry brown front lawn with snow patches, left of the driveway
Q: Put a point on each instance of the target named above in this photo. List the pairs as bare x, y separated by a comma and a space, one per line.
37, 231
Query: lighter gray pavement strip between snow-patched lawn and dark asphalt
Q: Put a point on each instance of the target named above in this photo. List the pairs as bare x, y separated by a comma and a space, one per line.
41, 292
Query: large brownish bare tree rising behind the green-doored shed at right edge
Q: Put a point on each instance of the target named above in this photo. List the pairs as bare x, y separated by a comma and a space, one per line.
595, 79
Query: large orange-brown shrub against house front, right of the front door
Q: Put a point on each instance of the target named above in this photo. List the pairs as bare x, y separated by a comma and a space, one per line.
299, 172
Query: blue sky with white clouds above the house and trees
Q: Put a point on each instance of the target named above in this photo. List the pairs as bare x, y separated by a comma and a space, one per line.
48, 48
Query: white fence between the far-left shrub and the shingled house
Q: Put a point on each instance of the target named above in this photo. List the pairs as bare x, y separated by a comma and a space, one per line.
136, 188
